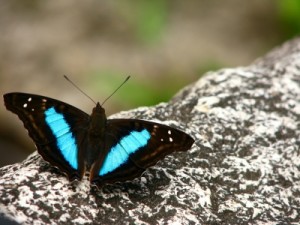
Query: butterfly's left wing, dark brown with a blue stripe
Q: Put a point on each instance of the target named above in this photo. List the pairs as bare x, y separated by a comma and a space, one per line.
56, 128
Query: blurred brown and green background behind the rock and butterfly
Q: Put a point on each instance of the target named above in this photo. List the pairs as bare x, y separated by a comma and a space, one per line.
163, 44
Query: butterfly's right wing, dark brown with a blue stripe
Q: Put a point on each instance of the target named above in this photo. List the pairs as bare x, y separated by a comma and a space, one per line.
134, 145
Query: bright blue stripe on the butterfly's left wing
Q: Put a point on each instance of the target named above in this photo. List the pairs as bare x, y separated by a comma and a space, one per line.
65, 141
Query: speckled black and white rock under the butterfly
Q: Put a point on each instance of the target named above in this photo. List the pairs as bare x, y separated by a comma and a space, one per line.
244, 167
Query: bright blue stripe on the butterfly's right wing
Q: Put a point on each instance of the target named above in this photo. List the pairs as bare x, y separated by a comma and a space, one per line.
119, 153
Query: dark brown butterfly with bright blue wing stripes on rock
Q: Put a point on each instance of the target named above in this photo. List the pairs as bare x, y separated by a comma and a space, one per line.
108, 150
